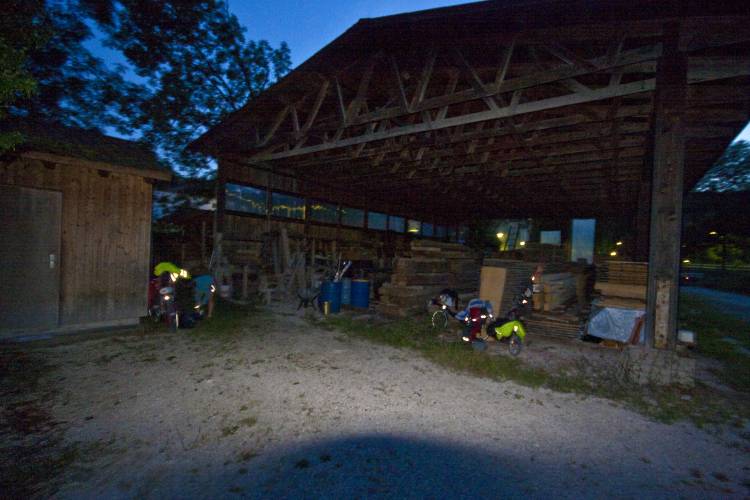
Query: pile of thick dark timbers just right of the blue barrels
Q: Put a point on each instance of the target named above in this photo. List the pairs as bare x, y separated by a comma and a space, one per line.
431, 267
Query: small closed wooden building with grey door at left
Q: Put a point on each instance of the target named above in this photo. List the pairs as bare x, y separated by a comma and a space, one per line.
75, 230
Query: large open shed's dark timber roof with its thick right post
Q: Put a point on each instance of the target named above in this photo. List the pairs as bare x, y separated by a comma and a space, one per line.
512, 108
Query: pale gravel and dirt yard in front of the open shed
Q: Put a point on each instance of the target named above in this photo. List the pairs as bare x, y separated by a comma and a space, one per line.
281, 409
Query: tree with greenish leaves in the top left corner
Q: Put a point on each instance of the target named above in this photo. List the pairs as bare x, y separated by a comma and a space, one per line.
62, 80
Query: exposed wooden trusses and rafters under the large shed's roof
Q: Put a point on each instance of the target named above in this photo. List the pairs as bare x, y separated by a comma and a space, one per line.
561, 113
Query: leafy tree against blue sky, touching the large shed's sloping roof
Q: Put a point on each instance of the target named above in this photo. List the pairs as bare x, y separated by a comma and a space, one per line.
194, 64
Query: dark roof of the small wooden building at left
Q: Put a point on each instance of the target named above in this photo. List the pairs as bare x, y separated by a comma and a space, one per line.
89, 145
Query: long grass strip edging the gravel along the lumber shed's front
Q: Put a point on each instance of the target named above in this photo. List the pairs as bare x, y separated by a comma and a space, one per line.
701, 404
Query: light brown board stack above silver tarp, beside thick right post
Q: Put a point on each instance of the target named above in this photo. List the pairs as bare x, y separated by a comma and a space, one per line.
621, 284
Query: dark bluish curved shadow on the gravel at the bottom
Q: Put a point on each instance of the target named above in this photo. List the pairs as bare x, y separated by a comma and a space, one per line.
385, 466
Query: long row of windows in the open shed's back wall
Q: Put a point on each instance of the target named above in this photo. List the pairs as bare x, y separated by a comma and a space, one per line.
253, 200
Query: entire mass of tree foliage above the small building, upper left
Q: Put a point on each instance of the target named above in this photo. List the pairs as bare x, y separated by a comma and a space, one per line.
185, 65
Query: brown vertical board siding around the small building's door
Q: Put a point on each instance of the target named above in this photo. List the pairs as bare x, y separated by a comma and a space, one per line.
106, 238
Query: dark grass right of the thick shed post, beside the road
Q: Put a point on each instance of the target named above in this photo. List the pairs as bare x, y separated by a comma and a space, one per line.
712, 327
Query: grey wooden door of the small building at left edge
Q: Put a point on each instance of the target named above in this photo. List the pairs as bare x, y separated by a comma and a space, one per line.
30, 222
